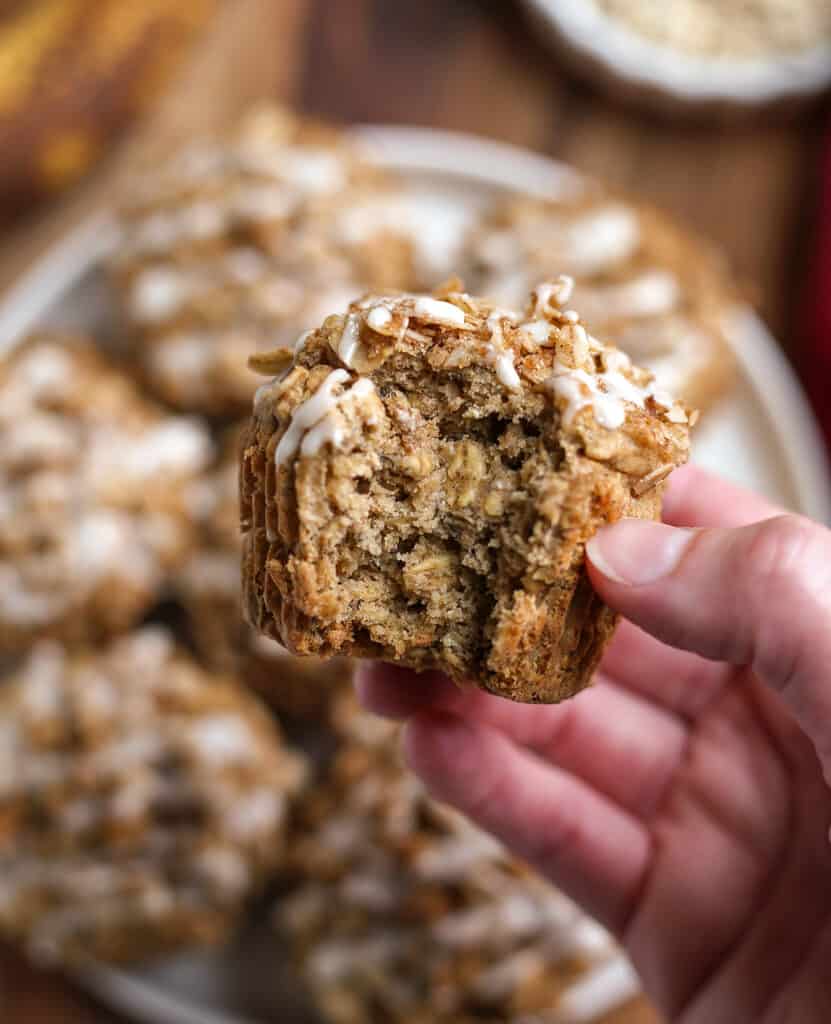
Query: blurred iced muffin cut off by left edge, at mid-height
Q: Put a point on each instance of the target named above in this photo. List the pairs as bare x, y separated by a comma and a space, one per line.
94, 491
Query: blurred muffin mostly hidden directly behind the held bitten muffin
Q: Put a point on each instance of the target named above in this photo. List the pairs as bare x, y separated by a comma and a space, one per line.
209, 588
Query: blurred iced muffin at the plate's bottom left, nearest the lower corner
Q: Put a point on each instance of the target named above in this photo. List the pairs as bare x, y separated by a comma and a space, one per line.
143, 801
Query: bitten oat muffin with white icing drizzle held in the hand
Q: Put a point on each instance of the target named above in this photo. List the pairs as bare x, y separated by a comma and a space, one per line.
421, 479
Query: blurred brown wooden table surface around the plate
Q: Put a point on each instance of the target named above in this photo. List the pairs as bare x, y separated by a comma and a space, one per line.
470, 66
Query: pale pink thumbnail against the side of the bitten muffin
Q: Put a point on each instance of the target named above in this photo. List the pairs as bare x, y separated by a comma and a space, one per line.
638, 552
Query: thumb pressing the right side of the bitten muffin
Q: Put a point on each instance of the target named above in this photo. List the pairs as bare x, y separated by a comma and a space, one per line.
758, 596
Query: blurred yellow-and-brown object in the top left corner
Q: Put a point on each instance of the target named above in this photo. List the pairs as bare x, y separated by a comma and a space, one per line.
73, 75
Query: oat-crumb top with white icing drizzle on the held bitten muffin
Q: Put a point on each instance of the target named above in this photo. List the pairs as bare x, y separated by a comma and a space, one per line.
451, 357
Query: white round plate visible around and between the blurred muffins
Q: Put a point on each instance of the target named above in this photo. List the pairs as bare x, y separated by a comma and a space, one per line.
764, 437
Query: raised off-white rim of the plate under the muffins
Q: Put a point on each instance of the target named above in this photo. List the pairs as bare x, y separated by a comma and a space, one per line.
464, 157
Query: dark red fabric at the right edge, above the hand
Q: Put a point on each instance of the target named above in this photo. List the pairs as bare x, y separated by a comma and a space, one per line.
815, 363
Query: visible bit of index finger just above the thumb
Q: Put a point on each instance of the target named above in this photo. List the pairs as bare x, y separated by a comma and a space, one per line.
698, 498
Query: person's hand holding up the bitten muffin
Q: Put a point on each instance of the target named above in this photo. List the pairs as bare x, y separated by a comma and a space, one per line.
685, 799
